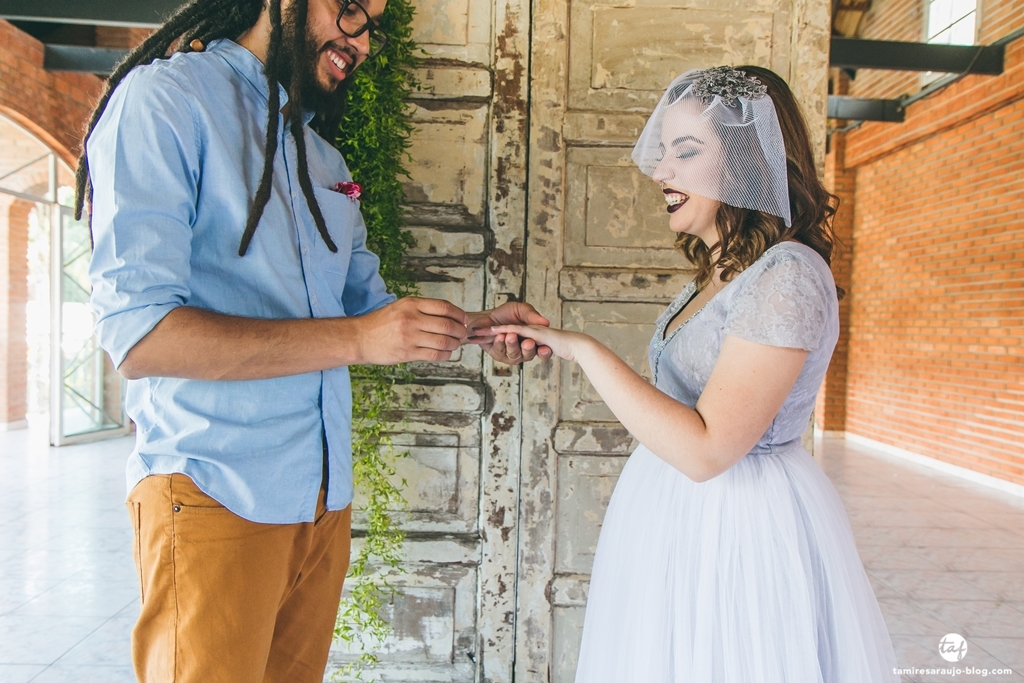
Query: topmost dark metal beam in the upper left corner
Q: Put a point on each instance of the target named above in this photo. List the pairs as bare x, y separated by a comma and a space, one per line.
97, 13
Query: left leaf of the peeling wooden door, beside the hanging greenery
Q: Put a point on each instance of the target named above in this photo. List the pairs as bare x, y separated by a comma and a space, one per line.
456, 619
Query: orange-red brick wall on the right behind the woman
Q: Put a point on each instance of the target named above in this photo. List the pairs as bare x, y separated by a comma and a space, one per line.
936, 331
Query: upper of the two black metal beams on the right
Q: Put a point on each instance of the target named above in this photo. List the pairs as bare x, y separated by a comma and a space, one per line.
894, 56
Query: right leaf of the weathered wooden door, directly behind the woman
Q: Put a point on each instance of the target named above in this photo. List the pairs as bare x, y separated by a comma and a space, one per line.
600, 255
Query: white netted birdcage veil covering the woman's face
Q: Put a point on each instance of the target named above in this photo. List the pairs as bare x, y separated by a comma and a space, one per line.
715, 134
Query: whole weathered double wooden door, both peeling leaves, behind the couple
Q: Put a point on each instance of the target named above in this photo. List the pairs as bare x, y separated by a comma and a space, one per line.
522, 187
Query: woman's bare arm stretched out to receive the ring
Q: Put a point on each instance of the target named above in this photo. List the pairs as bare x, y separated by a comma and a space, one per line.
745, 393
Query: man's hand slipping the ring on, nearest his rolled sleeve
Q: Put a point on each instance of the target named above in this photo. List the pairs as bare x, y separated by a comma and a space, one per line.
412, 329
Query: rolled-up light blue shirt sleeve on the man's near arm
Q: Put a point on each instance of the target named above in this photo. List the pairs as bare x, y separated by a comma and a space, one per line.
144, 163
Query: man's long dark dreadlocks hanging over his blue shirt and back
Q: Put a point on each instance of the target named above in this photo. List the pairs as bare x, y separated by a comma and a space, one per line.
206, 21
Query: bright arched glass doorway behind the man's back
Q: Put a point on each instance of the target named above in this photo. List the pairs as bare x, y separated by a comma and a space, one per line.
53, 373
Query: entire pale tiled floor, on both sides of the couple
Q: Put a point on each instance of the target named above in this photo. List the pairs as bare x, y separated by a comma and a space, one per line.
945, 557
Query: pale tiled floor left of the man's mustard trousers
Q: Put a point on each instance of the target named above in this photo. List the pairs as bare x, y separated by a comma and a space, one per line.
69, 593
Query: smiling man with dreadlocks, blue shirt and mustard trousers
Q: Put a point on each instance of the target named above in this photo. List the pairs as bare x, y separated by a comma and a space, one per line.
237, 340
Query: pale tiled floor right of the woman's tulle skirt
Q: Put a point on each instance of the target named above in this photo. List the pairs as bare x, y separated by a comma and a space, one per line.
945, 557
